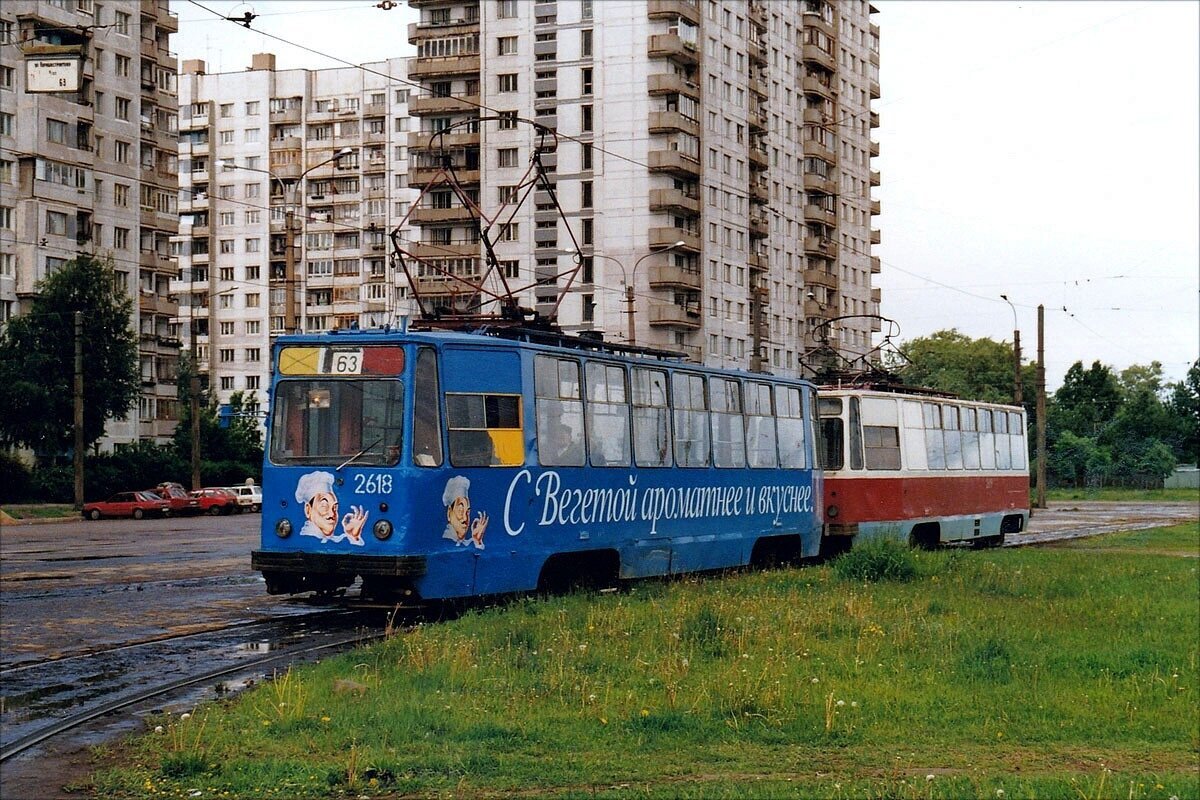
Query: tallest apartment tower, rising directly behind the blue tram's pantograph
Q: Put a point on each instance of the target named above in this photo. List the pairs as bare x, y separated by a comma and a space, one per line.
713, 155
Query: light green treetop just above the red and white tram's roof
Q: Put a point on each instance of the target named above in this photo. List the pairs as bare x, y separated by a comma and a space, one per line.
950, 362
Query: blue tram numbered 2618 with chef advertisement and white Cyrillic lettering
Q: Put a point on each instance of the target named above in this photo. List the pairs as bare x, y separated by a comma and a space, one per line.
437, 465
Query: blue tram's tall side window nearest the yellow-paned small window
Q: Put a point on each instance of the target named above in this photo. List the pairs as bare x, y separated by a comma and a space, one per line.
560, 412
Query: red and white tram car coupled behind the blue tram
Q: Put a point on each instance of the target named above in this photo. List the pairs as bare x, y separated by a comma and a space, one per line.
922, 468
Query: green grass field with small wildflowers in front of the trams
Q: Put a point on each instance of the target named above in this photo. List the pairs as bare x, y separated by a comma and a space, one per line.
1065, 672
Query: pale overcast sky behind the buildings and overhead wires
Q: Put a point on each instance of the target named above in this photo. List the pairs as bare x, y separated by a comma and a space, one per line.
1042, 151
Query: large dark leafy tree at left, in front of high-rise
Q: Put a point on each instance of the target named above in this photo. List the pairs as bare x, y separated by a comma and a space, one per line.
38, 359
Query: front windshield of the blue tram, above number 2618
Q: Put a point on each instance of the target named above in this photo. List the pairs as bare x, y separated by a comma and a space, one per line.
338, 422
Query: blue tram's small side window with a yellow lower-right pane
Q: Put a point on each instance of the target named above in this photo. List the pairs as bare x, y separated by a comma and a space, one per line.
485, 430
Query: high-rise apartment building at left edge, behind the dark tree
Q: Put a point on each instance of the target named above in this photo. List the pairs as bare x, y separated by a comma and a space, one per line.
88, 129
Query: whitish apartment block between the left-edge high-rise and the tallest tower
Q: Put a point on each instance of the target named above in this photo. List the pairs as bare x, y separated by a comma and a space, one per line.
291, 183
